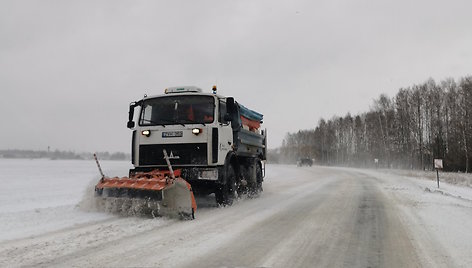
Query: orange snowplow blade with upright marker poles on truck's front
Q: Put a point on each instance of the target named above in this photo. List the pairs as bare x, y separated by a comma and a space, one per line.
156, 193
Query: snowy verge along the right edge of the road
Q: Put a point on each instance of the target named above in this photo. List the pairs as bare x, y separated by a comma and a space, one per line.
438, 219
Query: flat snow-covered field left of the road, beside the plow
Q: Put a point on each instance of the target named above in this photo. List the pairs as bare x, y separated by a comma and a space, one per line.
41, 195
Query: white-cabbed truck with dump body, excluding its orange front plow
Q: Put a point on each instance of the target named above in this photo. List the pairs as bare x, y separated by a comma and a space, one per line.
215, 143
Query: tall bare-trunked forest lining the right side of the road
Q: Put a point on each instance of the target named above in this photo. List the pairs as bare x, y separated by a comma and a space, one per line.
420, 123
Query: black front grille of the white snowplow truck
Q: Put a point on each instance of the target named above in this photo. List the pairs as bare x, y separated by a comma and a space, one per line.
180, 154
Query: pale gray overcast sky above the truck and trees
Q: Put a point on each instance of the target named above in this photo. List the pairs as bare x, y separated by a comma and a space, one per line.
68, 69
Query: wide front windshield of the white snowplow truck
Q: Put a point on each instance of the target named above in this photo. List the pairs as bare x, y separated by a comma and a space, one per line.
175, 110
